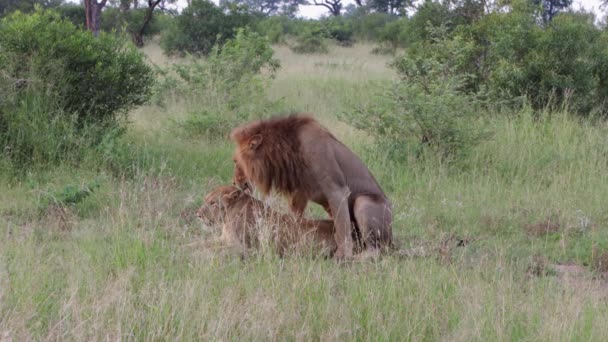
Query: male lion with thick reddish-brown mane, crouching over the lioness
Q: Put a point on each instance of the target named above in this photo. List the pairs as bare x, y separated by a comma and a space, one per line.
296, 156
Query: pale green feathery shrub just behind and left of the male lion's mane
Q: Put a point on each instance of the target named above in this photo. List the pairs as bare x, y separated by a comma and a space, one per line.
228, 87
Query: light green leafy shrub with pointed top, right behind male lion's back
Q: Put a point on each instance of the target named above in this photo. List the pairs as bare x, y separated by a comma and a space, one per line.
427, 108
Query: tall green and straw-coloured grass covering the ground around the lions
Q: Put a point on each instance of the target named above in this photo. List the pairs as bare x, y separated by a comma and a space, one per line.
512, 247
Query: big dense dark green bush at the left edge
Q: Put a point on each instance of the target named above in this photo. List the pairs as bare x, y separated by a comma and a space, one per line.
61, 88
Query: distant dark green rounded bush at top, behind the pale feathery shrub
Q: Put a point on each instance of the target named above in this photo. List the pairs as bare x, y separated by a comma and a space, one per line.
201, 26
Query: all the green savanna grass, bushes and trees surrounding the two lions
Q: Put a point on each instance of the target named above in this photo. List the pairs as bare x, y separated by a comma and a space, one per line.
485, 123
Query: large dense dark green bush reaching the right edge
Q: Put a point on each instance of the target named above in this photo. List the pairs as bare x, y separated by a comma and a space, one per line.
565, 61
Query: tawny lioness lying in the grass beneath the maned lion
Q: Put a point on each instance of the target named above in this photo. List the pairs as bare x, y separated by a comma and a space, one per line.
241, 214
